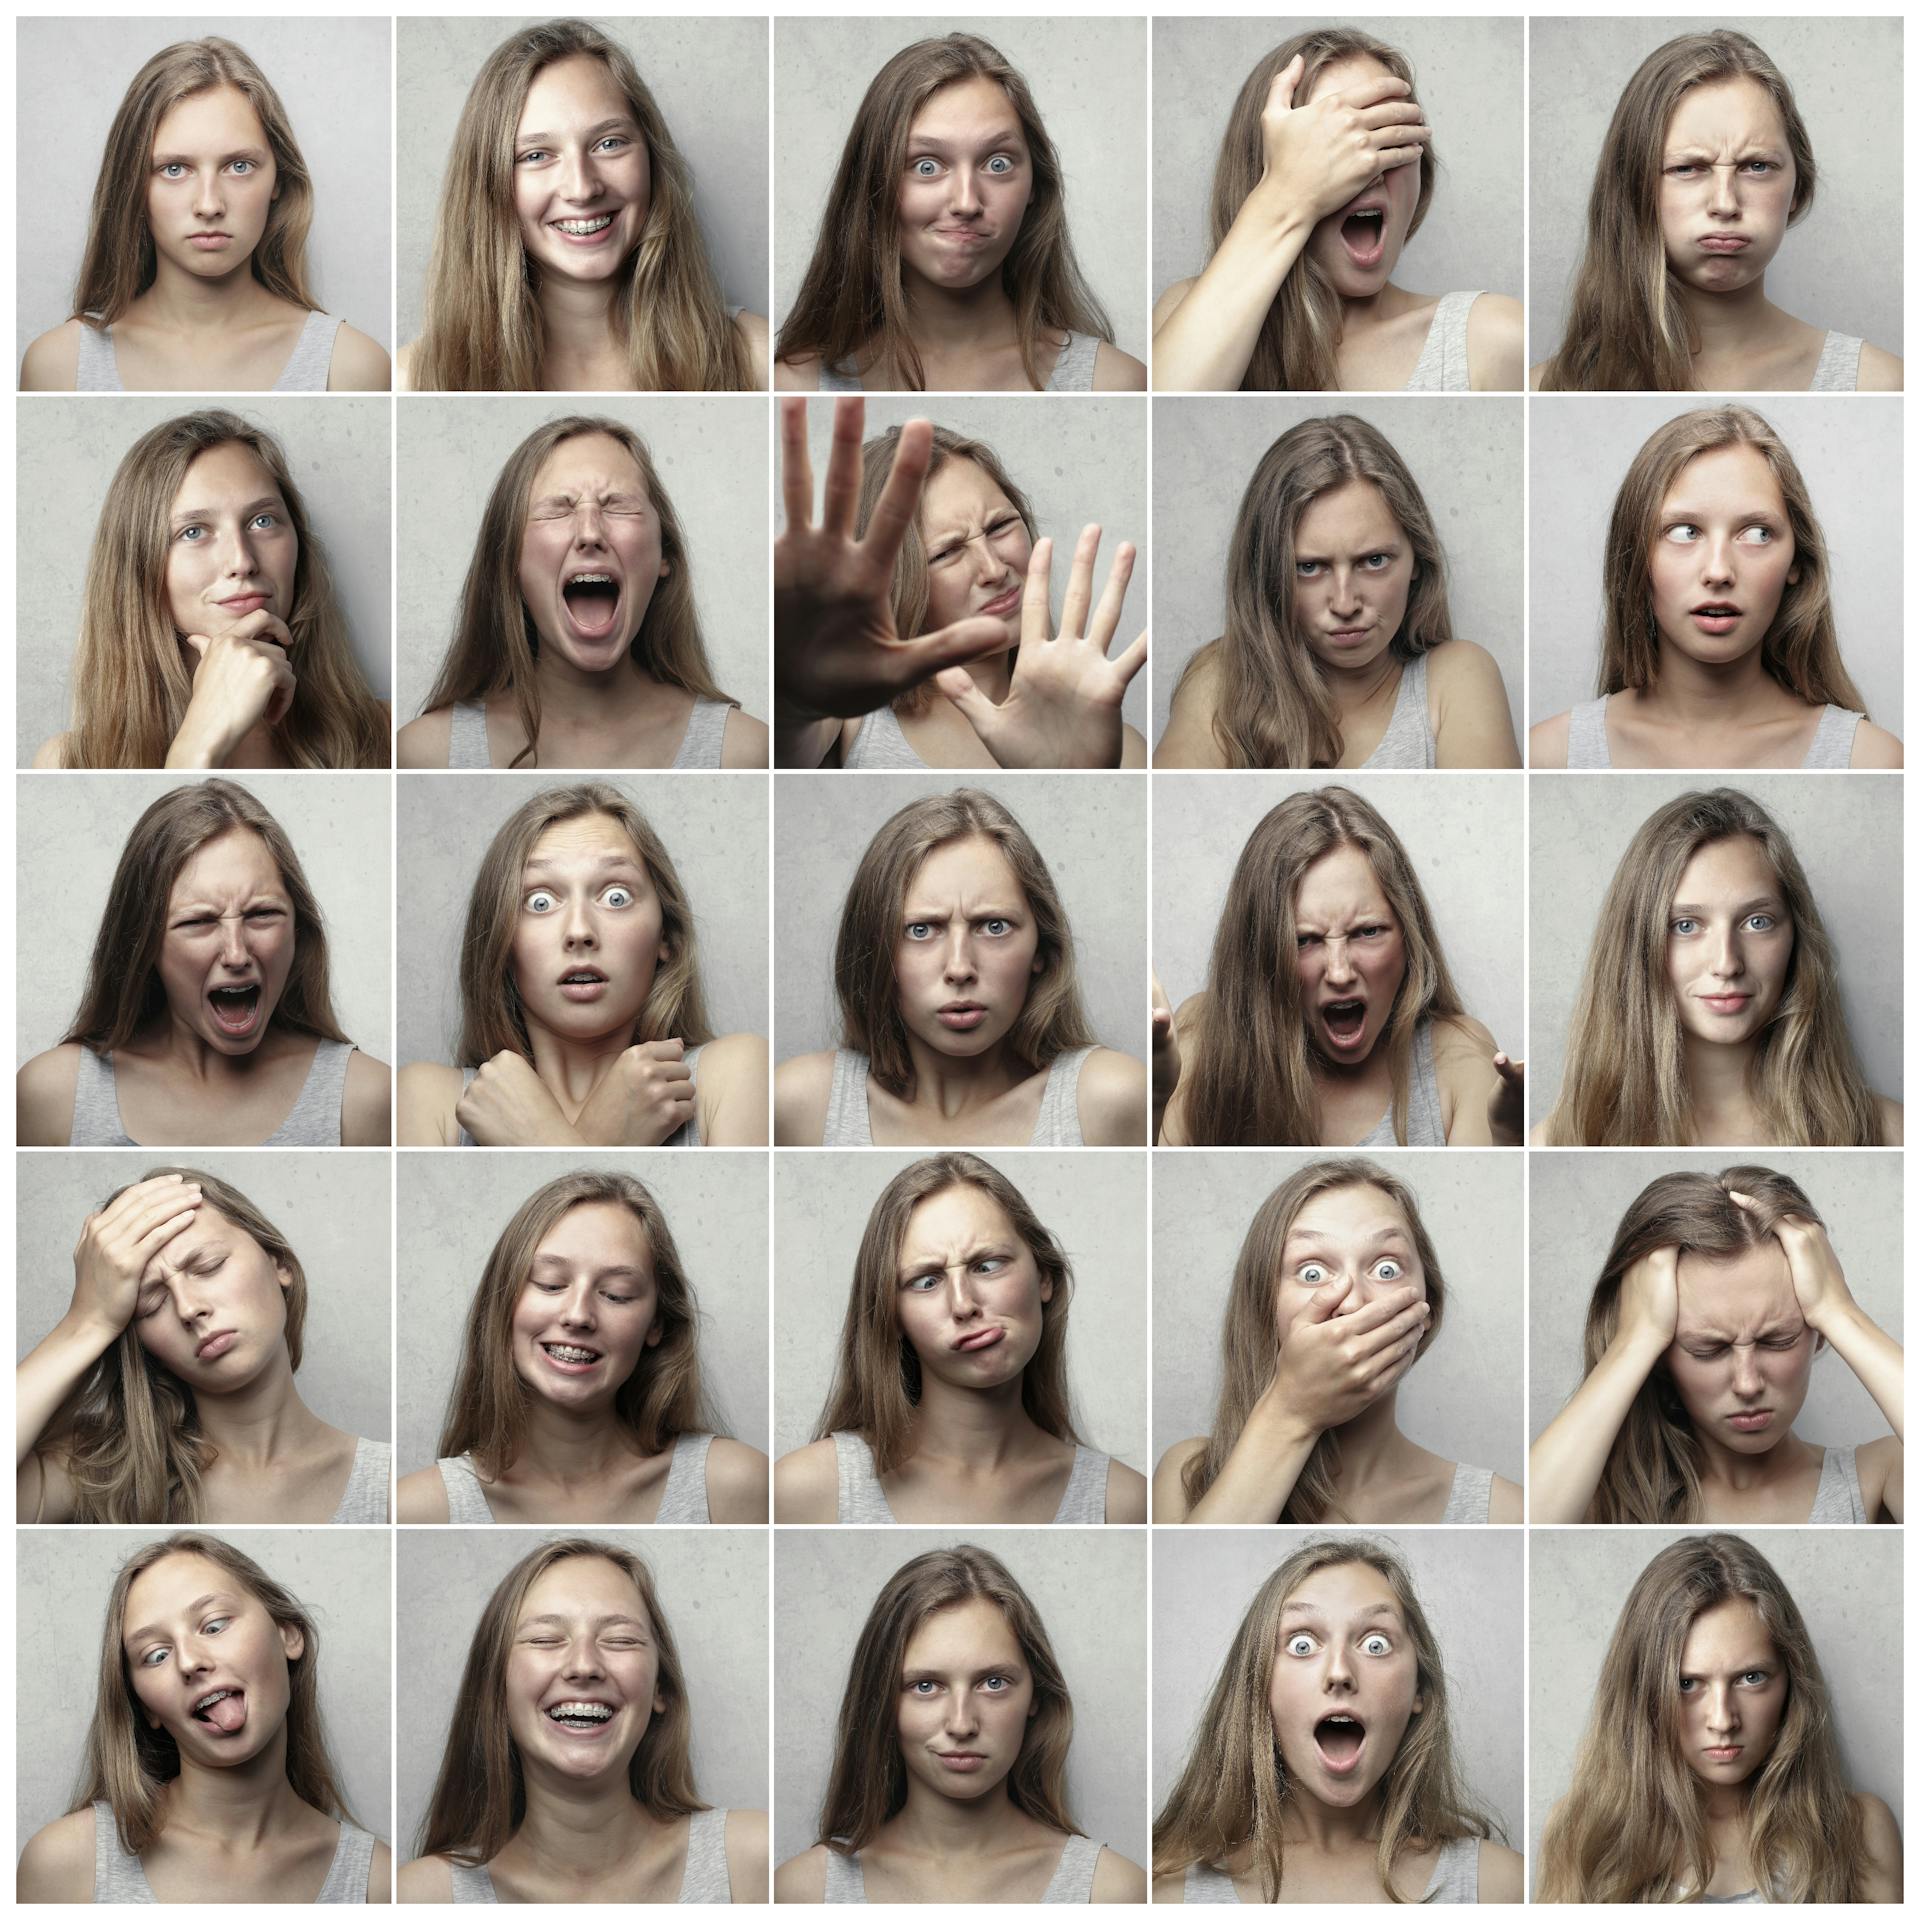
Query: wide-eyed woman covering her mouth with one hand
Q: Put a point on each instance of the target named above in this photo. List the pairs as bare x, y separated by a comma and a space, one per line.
1335, 1295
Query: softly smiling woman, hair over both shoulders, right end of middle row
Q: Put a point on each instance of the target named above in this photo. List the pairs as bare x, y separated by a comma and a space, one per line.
1744, 1044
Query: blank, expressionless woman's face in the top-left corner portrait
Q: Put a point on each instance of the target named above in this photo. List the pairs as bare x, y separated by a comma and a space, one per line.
212, 183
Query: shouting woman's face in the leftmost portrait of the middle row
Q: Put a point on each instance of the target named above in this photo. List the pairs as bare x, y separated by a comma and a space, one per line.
229, 944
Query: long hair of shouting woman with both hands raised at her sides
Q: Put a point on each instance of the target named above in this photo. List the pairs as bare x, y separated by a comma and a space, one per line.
1251, 1074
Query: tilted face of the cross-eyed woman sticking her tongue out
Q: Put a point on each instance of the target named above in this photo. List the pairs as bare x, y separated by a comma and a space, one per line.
206, 1660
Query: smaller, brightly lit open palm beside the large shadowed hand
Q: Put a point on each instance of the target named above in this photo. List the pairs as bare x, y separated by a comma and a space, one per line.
1063, 708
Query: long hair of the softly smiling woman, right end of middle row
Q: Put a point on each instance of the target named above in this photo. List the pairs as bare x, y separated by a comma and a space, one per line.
1625, 1080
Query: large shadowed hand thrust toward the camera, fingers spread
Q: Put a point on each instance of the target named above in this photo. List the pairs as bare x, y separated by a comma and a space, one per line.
836, 654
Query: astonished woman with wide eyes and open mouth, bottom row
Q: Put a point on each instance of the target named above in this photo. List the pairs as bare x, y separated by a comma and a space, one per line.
1322, 1769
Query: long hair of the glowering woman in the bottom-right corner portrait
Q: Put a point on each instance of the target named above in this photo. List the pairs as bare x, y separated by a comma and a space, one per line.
1633, 1825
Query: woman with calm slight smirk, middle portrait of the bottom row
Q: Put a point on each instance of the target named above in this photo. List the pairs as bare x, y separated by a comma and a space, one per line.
949, 1765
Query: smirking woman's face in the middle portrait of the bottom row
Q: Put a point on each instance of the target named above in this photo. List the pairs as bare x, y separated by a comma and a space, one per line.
967, 1696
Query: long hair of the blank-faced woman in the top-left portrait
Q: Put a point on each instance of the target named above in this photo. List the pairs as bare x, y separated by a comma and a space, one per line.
120, 262
